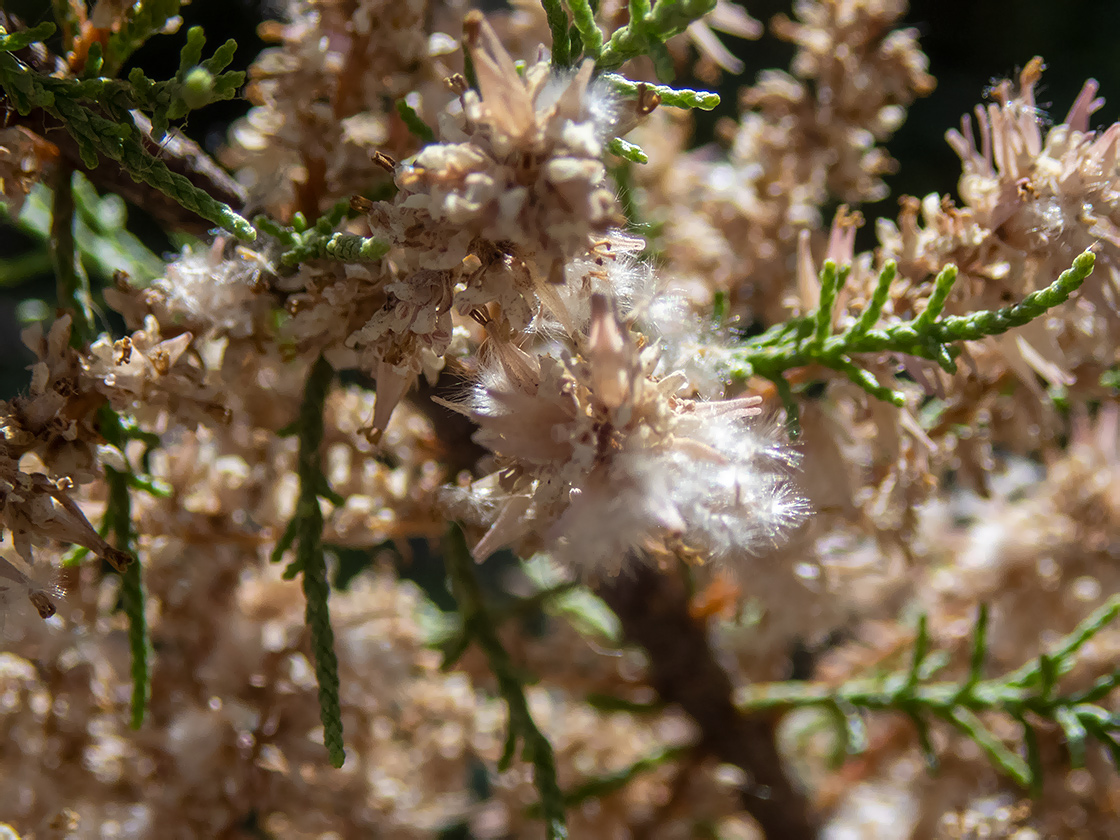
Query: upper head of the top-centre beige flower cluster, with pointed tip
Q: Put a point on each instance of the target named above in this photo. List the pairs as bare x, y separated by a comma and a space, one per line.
521, 163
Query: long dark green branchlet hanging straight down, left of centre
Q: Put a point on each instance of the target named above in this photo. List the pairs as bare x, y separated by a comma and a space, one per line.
305, 533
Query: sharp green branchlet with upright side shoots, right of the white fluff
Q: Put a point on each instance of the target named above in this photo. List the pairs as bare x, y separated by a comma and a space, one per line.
809, 340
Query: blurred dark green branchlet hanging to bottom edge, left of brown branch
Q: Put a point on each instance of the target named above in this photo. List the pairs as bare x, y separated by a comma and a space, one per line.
479, 627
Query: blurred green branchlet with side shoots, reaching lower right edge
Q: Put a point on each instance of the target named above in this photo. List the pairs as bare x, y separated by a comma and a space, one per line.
1030, 694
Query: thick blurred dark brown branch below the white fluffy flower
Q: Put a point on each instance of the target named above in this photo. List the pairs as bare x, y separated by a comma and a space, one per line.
654, 609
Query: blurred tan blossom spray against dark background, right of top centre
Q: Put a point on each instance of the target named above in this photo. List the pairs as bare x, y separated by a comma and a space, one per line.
806, 138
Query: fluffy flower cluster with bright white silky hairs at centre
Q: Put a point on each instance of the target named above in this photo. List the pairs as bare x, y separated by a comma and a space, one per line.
600, 462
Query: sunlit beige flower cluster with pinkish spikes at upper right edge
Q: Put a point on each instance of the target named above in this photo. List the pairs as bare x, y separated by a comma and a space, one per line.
1032, 200
